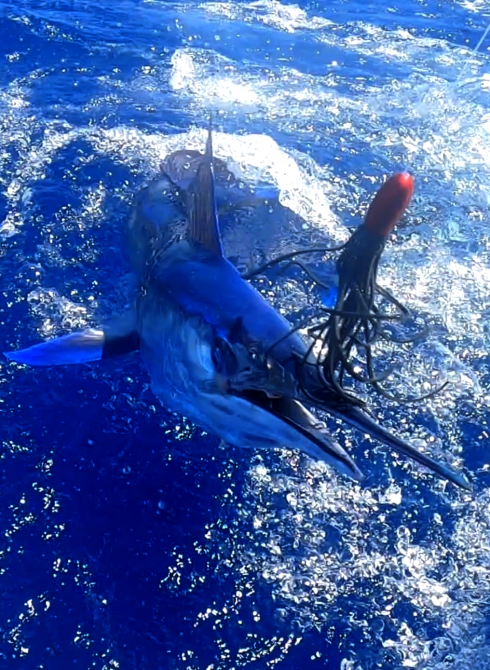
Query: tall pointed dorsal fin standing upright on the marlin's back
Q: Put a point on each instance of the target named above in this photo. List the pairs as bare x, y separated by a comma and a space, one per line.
202, 210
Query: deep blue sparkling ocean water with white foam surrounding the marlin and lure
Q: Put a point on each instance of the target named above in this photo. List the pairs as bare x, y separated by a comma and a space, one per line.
129, 538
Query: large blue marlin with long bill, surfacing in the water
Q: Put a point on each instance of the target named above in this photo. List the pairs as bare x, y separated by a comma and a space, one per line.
215, 349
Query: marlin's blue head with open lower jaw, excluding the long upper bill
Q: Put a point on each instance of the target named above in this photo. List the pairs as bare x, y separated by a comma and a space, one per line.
206, 337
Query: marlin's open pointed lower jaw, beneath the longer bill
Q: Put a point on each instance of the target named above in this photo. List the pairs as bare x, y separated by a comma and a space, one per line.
312, 436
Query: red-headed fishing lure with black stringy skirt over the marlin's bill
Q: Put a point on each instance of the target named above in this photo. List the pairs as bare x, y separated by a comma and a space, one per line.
346, 335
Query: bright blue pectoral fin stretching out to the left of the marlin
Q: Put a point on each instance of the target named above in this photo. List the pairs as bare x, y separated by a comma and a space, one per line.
85, 346
